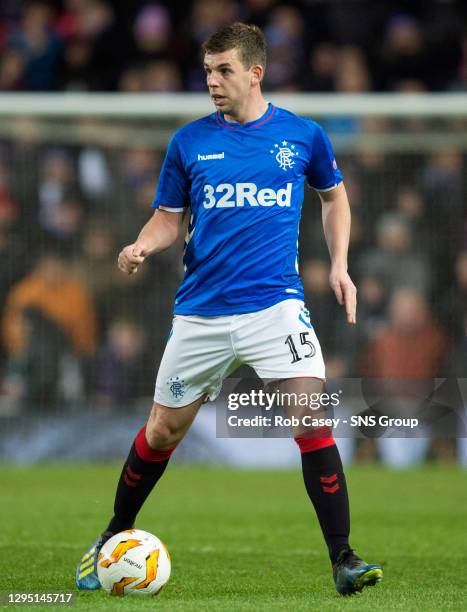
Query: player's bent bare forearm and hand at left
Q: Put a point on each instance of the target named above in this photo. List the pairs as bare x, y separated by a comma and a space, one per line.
160, 232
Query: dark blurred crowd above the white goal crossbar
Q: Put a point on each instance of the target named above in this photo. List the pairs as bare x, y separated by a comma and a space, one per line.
154, 46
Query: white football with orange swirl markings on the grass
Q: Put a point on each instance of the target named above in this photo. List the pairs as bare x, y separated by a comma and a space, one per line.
133, 562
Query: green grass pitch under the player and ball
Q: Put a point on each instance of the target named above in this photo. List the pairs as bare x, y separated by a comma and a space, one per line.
242, 540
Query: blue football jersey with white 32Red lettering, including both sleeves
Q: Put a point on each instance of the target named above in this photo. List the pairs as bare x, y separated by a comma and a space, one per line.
243, 185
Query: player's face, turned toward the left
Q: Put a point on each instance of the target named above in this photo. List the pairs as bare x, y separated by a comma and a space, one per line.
229, 82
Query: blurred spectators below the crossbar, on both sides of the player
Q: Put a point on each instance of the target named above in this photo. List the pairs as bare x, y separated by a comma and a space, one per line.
66, 211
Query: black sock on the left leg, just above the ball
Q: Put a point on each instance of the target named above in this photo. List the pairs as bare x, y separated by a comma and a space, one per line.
136, 482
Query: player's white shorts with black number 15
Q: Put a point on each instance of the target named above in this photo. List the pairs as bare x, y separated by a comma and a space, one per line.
277, 342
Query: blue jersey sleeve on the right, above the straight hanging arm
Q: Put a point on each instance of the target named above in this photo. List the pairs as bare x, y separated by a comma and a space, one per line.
322, 172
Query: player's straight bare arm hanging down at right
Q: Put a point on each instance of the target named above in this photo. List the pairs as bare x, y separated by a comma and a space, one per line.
336, 225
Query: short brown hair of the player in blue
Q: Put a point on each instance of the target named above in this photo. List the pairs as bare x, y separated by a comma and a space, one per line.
248, 39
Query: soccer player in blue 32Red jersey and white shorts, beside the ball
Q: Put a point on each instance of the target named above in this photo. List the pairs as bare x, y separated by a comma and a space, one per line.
239, 173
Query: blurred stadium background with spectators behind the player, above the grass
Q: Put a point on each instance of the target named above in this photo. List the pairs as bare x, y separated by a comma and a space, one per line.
80, 342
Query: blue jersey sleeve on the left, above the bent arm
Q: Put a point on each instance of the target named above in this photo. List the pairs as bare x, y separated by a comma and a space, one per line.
173, 186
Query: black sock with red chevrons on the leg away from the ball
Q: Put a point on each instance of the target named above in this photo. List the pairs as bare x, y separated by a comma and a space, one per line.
325, 484
